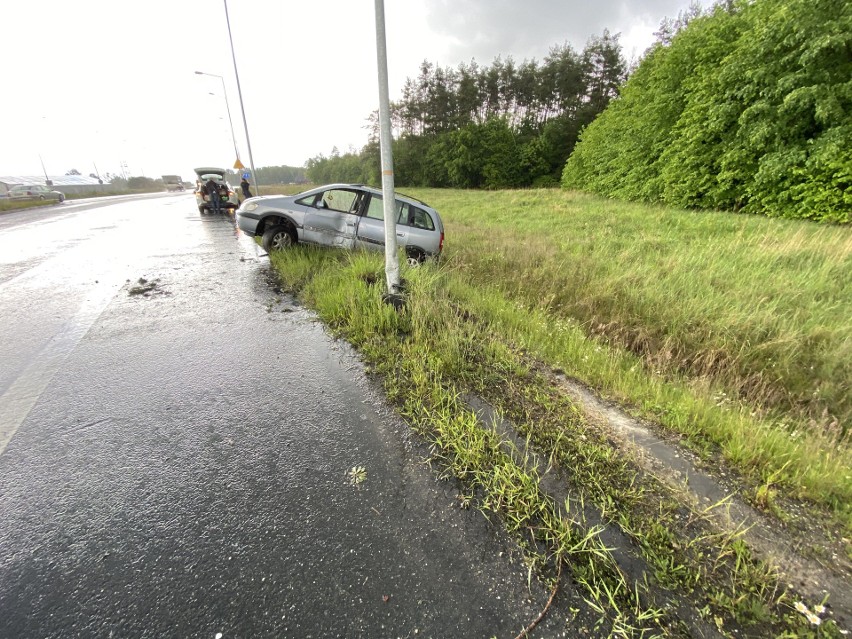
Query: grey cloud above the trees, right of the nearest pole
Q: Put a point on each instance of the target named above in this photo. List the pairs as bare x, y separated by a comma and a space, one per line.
483, 29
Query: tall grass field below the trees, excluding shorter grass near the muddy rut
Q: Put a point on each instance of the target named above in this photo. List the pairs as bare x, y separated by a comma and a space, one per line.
753, 309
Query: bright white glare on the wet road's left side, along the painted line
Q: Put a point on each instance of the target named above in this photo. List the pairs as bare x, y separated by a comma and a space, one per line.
56, 277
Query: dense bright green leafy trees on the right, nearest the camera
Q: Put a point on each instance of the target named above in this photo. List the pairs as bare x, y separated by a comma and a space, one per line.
747, 108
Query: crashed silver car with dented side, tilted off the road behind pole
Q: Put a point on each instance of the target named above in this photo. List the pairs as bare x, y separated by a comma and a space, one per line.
342, 215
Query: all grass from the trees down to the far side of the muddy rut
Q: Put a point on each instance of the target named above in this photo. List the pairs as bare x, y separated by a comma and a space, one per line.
740, 325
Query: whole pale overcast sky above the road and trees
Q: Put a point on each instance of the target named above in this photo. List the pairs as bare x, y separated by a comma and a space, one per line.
94, 83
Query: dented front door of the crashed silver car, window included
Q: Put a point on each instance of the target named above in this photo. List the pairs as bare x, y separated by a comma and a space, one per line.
331, 218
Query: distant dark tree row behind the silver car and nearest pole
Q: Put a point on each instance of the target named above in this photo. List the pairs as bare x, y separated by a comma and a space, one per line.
503, 125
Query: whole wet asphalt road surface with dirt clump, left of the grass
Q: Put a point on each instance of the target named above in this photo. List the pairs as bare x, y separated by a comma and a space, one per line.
174, 464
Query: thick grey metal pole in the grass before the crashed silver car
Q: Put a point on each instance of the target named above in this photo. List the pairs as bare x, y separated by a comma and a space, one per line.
386, 144
